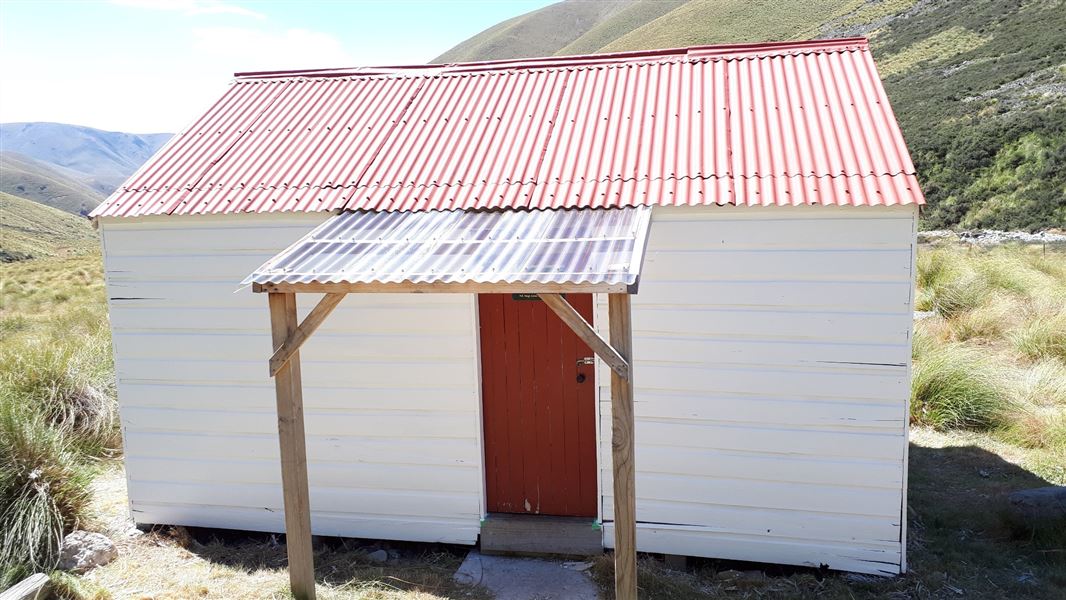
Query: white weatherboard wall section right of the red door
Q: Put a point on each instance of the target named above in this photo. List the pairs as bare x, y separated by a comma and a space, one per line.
771, 369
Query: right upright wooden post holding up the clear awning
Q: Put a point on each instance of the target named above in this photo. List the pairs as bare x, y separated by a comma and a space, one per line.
622, 452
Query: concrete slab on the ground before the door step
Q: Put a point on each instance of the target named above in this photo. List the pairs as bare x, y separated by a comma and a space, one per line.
512, 578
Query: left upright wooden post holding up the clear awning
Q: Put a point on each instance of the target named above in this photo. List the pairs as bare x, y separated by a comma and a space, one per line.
290, 434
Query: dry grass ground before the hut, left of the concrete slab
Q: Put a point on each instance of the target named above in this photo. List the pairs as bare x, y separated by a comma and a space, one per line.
173, 564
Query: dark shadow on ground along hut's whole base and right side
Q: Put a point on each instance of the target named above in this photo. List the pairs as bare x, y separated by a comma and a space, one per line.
960, 546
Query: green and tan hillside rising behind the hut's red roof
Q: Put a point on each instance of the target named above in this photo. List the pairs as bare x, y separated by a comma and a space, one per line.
979, 87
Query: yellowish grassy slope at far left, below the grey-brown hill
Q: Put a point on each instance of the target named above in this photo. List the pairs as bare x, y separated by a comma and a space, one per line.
29, 230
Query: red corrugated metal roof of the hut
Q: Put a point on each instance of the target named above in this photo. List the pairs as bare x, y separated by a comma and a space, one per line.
769, 124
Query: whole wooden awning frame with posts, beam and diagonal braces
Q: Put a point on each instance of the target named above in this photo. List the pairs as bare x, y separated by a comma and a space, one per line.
289, 336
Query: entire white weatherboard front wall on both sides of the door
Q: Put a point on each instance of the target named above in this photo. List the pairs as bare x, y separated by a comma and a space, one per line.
771, 353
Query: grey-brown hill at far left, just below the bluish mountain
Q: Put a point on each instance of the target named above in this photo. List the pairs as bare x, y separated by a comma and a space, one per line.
28, 179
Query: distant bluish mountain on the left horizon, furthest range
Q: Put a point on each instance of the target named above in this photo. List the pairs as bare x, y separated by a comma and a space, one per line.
101, 159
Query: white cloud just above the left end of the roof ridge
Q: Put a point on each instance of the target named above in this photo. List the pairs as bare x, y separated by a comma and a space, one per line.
252, 50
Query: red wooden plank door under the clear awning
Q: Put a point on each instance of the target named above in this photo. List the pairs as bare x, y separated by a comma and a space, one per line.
540, 409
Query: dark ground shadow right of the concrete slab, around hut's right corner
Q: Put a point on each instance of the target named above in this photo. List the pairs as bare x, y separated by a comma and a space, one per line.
960, 546
